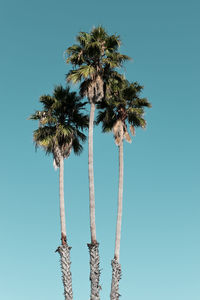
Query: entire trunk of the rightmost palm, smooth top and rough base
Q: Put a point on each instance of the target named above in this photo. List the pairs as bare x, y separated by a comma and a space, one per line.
116, 267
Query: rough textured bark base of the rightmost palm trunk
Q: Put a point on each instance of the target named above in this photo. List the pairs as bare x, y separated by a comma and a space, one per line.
116, 276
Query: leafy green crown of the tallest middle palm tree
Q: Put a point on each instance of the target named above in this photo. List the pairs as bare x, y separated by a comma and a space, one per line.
94, 58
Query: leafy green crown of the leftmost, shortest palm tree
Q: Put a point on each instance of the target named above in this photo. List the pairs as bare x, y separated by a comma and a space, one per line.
60, 123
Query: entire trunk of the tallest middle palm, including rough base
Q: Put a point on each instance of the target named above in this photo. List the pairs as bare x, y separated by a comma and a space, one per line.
94, 246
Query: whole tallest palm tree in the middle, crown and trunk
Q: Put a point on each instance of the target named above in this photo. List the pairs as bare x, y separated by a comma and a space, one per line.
94, 58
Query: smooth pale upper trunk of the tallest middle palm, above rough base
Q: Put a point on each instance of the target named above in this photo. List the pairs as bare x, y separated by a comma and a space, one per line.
91, 175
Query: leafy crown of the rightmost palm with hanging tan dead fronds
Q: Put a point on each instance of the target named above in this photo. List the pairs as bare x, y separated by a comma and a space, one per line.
122, 105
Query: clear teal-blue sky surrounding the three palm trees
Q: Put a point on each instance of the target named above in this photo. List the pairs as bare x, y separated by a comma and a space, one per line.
160, 236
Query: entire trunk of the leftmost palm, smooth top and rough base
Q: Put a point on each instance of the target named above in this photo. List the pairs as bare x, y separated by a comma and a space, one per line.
64, 249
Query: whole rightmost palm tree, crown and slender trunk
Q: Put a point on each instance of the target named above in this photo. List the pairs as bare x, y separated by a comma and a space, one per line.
122, 106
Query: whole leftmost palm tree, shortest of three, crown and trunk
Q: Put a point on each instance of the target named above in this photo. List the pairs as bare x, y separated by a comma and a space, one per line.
61, 123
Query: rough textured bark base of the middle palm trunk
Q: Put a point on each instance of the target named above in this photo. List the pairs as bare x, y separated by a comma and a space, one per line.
94, 271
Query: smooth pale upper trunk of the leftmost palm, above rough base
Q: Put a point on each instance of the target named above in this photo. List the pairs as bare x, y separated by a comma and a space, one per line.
62, 204
